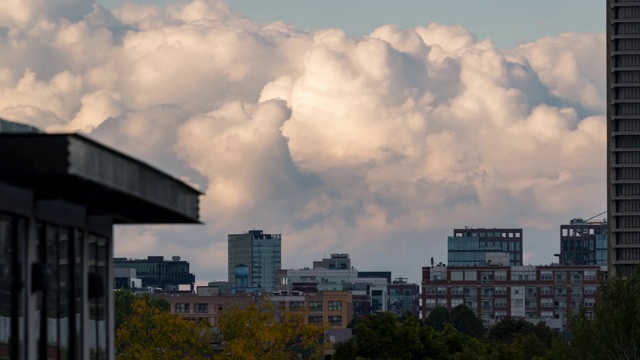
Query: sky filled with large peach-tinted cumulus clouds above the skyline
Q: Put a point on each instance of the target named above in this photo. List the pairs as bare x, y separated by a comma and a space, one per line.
348, 127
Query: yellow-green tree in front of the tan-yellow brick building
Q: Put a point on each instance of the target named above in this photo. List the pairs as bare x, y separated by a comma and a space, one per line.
263, 332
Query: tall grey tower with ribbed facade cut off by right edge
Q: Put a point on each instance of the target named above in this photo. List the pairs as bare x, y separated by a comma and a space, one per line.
623, 128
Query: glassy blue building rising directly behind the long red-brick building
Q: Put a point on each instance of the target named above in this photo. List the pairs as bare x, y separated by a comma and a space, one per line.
473, 247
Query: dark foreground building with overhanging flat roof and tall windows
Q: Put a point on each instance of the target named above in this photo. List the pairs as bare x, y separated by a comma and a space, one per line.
60, 196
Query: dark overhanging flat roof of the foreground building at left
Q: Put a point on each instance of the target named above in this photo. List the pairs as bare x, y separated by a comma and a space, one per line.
78, 169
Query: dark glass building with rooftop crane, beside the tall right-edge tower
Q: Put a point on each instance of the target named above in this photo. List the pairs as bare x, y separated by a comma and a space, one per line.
583, 243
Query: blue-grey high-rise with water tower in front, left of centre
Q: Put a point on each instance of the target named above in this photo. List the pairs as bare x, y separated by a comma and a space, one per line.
253, 259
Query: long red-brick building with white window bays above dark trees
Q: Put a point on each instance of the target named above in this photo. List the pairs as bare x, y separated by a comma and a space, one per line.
551, 293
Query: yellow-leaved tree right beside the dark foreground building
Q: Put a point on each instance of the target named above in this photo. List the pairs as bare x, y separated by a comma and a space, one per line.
150, 332
